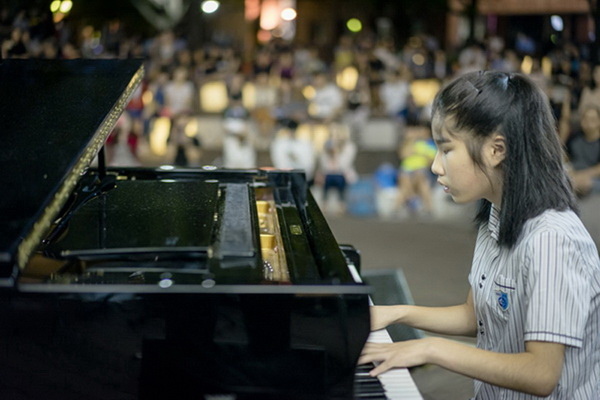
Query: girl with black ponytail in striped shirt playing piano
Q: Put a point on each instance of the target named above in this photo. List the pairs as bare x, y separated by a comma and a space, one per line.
534, 302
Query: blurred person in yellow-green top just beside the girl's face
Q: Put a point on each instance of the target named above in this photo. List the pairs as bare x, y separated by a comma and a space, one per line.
416, 152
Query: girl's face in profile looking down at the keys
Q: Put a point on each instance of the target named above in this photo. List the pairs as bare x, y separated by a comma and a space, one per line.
464, 180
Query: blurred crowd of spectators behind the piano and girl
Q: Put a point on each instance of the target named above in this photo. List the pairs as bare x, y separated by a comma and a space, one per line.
306, 109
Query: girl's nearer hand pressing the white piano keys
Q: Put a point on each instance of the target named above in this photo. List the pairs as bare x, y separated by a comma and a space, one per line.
404, 354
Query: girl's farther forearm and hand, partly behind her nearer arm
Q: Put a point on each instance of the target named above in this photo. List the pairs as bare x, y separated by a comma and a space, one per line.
454, 320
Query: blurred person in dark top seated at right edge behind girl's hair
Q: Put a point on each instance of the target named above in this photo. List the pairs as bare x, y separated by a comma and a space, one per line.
583, 148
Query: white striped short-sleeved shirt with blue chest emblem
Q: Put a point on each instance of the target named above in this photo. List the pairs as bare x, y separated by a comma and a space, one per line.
546, 288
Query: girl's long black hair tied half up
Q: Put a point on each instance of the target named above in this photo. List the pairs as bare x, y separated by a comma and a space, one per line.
535, 180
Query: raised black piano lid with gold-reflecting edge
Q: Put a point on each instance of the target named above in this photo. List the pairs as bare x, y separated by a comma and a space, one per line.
55, 115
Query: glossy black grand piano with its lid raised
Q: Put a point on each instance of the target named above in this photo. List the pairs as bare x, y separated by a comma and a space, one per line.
156, 283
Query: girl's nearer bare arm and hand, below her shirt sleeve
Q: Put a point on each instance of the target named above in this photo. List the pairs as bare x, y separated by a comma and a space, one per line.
535, 371
